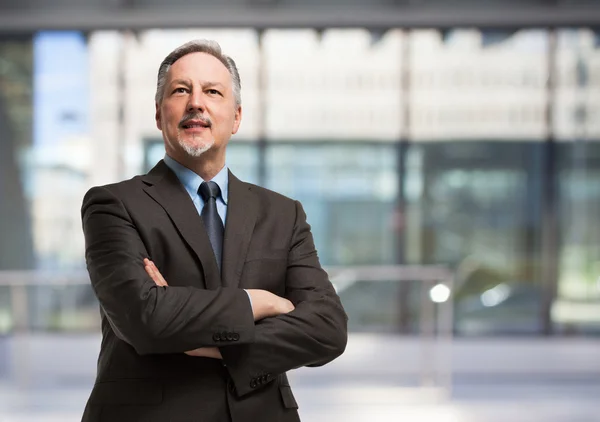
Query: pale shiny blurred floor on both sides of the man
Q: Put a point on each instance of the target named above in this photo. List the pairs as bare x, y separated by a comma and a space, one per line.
557, 381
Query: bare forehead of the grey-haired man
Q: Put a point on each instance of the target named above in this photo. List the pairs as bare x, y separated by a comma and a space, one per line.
200, 67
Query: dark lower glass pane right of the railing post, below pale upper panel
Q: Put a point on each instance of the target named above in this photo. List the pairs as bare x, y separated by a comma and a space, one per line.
478, 212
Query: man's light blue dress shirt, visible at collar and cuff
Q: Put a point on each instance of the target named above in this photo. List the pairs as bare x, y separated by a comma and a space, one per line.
191, 181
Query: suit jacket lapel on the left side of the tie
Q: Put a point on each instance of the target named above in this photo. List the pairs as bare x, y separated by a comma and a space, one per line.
166, 189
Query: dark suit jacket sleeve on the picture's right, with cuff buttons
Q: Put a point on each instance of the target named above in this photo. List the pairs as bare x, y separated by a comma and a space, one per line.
313, 334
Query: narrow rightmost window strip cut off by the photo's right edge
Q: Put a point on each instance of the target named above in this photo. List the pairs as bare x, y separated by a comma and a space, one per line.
576, 123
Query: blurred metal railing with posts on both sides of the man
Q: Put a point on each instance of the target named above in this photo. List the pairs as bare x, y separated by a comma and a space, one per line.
435, 313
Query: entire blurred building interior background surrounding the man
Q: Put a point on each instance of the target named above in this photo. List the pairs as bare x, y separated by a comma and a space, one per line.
447, 154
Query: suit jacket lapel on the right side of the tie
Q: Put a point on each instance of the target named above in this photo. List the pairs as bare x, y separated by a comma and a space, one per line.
242, 211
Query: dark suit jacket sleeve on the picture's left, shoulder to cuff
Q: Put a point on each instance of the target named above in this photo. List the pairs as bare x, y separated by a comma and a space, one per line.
150, 318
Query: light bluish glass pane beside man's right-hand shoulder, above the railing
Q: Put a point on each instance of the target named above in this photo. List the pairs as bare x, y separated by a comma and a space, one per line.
349, 193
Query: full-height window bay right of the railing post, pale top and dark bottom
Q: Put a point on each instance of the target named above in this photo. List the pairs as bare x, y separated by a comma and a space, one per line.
472, 183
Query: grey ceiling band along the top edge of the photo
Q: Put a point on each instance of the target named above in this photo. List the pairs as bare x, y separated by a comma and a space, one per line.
23, 16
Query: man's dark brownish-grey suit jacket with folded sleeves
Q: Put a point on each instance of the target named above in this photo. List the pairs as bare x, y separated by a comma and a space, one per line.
143, 374
